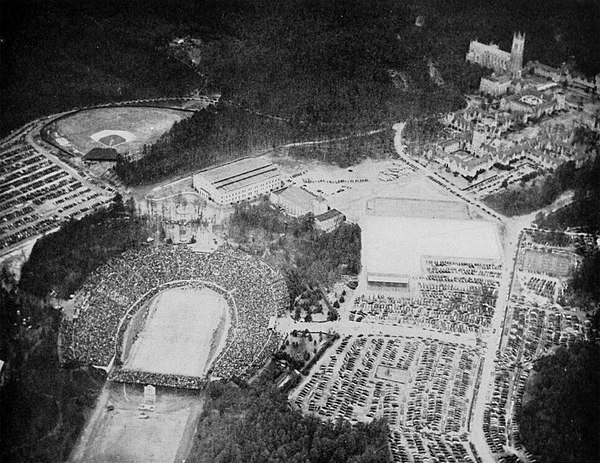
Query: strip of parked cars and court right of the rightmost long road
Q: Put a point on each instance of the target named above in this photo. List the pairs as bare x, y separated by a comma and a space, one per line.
535, 326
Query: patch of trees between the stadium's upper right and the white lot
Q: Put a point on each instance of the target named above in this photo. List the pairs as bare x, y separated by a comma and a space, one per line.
307, 256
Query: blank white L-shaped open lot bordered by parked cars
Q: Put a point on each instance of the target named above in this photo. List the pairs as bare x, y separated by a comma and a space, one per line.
395, 245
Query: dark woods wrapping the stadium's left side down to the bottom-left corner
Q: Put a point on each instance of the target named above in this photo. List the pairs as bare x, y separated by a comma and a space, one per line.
43, 405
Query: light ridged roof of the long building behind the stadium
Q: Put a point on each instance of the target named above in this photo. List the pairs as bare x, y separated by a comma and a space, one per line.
239, 174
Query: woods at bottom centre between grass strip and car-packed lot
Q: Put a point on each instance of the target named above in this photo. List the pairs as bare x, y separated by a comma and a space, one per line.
254, 424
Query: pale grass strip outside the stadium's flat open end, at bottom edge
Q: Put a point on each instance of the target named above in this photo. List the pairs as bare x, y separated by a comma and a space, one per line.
119, 435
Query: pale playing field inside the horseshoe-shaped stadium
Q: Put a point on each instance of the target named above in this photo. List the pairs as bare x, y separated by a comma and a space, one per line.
178, 335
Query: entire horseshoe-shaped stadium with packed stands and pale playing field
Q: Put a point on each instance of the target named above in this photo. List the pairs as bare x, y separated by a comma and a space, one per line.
168, 316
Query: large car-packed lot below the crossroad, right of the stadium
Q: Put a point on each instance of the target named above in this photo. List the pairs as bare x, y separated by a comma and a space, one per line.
421, 386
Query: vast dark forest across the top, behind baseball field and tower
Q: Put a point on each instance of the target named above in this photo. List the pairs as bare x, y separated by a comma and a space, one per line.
306, 60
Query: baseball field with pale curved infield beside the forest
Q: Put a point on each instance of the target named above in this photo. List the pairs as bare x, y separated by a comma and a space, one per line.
126, 129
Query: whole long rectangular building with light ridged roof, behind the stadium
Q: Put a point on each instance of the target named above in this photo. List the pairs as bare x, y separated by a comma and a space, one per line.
236, 181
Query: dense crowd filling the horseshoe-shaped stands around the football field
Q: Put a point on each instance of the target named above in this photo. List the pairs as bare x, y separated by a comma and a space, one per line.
255, 293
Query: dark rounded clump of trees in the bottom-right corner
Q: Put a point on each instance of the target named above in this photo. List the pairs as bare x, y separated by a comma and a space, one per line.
560, 418
